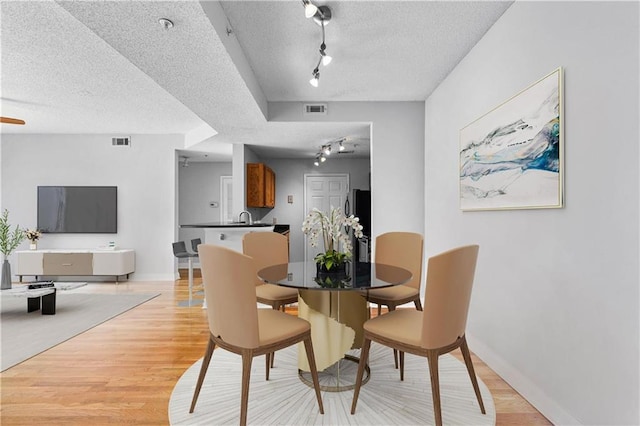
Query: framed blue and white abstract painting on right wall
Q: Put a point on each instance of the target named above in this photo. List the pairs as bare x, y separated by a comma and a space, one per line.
511, 158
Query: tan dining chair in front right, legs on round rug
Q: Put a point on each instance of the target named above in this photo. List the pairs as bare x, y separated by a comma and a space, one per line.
438, 330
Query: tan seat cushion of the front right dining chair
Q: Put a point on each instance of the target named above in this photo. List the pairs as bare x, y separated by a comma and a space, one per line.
402, 325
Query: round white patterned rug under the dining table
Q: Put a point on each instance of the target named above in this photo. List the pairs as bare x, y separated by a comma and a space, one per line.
285, 400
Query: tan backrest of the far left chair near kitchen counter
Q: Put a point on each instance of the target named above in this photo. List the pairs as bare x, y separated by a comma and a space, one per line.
266, 249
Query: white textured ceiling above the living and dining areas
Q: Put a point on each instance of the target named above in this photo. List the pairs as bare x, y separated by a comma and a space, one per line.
109, 67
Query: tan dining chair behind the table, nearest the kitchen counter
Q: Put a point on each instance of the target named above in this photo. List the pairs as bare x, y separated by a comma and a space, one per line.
268, 249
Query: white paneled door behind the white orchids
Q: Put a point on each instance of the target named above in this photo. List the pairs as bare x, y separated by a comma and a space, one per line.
323, 192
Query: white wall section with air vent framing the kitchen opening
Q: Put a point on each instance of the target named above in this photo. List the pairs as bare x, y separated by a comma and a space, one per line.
397, 150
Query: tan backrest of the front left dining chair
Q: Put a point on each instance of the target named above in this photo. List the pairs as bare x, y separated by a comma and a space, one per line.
229, 278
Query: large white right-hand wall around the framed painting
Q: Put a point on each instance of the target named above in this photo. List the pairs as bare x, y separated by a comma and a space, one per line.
555, 304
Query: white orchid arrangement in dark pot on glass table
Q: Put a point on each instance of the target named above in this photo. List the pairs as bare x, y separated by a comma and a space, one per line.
334, 229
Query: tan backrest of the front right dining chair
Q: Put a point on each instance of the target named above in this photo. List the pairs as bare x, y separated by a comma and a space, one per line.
447, 296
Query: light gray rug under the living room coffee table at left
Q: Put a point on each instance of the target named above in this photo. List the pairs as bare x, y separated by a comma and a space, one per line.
24, 335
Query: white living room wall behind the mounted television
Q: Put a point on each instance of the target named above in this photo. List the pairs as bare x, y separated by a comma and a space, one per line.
144, 174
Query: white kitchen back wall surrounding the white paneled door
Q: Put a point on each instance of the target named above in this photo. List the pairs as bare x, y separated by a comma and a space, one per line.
290, 181
